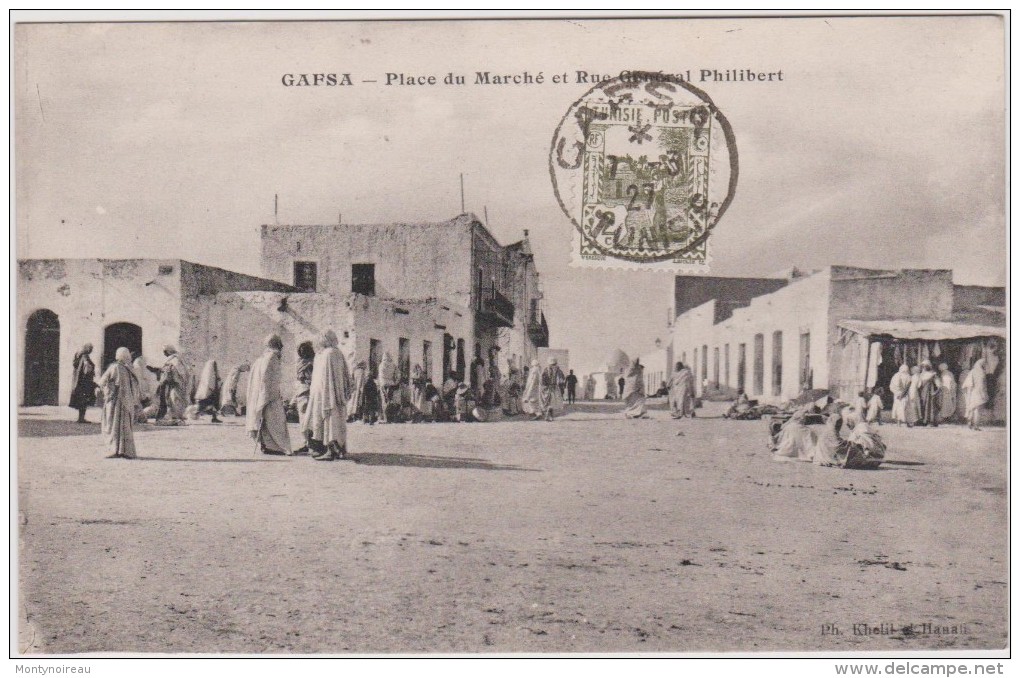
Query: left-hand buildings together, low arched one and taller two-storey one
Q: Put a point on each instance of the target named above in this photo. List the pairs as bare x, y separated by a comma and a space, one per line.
445, 296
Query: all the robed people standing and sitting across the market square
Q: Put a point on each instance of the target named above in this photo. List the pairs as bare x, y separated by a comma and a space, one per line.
329, 396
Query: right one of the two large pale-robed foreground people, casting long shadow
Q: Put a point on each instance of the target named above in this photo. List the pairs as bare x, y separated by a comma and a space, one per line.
326, 425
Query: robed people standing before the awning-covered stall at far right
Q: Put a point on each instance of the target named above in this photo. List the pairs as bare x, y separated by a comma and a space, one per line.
924, 398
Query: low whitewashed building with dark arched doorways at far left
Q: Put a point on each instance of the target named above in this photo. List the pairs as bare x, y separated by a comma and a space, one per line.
141, 304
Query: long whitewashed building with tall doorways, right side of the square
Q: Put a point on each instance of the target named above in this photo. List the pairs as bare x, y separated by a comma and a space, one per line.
785, 336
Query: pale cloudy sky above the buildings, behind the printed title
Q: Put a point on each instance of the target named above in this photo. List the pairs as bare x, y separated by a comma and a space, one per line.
884, 145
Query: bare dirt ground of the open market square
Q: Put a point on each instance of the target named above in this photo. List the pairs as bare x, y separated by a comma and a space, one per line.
591, 534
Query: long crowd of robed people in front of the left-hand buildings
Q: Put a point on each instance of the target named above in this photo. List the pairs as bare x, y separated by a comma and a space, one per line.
328, 396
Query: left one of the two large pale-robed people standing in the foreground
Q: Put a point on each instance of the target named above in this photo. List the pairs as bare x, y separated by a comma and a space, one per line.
267, 415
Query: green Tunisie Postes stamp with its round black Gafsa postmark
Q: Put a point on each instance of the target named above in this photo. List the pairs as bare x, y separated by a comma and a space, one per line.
644, 166
